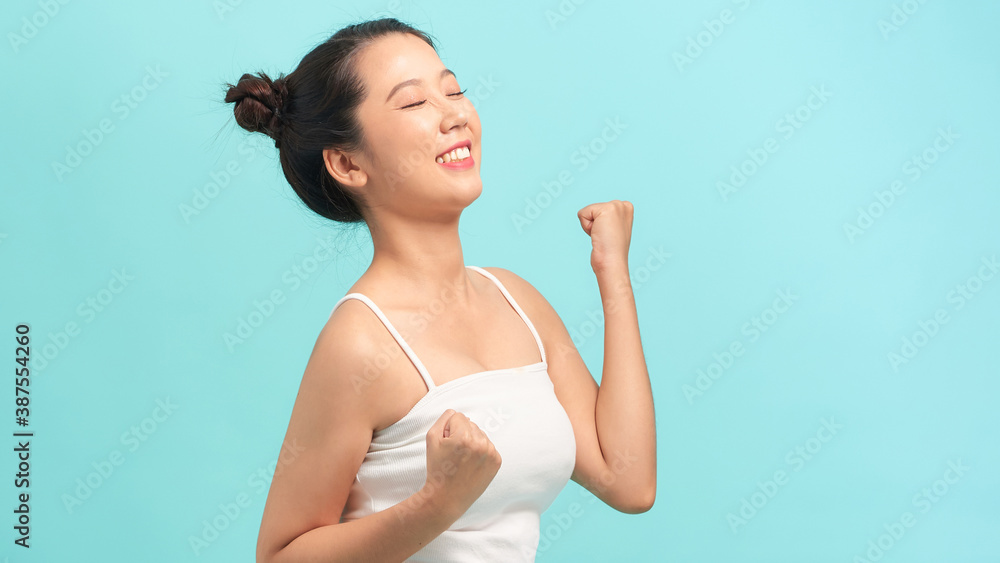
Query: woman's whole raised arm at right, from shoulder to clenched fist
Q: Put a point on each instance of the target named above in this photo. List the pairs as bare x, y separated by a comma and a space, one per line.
614, 423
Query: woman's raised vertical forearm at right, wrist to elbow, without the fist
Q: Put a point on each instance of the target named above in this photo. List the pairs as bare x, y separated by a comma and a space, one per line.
626, 425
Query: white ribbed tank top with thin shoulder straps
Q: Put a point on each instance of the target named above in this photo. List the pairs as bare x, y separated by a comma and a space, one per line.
518, 410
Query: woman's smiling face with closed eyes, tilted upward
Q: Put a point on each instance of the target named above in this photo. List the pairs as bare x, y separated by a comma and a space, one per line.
414, 112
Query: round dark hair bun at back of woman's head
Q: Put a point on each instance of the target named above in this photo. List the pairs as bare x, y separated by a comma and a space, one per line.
259, 103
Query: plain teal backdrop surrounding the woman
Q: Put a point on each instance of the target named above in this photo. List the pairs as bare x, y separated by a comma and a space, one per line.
814, 259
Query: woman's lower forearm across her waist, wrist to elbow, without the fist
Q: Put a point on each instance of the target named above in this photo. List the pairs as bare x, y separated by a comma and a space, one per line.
393, 534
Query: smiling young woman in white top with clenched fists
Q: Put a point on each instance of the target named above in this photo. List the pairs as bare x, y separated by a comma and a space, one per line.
445, 444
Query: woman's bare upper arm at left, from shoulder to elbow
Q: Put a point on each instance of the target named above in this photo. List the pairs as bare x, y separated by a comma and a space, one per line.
330, 431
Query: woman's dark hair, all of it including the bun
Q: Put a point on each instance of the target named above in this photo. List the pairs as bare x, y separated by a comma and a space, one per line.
315, 108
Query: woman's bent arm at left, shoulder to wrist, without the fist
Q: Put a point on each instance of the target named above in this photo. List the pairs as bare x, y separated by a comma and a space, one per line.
330, 429
